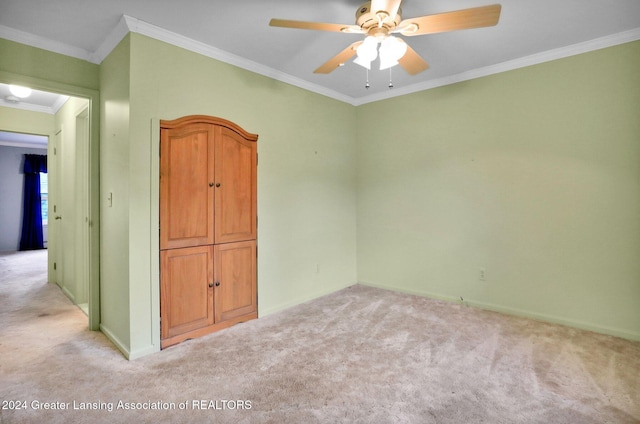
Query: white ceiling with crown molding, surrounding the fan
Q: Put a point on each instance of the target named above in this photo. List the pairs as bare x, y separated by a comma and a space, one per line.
238, 32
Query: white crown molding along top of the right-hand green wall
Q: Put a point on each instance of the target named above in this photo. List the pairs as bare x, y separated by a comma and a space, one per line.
535, 59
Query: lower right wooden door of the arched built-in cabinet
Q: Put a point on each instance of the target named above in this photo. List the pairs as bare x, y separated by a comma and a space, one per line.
235, 270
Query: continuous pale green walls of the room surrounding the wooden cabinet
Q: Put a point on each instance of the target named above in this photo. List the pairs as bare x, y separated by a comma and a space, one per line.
532, 175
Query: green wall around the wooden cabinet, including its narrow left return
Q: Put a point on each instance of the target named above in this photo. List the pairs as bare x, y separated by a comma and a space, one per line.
306, 178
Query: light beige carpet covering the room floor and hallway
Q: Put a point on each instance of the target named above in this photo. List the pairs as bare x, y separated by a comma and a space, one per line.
361, 355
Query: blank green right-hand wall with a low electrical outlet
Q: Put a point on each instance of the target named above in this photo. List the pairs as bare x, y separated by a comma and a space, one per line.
532, 175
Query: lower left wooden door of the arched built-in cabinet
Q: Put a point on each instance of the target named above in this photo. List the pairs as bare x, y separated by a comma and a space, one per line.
186, 300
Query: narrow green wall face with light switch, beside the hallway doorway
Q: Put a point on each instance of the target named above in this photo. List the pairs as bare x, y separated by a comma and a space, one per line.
114, 181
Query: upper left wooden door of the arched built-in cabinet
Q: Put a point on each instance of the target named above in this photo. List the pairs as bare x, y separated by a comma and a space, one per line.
186, 186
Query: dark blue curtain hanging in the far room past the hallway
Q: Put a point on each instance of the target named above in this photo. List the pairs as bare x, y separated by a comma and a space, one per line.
32, 212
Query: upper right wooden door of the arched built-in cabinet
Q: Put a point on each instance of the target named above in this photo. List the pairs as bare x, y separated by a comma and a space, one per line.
236, 195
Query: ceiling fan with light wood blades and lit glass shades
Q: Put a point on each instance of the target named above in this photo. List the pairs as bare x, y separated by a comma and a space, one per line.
379, 19
